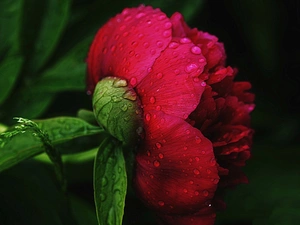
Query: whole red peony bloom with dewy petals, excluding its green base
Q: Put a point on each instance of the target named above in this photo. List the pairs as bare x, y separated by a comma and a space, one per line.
196, 118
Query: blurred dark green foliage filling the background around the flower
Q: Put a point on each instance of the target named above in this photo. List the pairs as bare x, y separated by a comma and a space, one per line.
43, 46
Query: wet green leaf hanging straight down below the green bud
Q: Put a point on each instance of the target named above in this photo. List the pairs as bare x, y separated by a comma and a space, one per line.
110, 183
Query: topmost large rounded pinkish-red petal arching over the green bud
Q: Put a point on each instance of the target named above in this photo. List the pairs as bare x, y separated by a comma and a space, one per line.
128, 44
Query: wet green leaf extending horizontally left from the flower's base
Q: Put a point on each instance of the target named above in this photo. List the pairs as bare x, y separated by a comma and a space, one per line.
24, 145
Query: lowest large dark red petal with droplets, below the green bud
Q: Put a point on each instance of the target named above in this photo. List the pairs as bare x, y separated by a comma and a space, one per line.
176, 171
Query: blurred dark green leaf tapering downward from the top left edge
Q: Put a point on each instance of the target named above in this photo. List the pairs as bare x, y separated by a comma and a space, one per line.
43, 25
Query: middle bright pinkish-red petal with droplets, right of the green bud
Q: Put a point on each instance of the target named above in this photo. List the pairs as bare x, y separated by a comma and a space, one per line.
173, 85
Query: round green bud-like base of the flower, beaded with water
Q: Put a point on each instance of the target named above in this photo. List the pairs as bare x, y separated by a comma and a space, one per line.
118, 109
